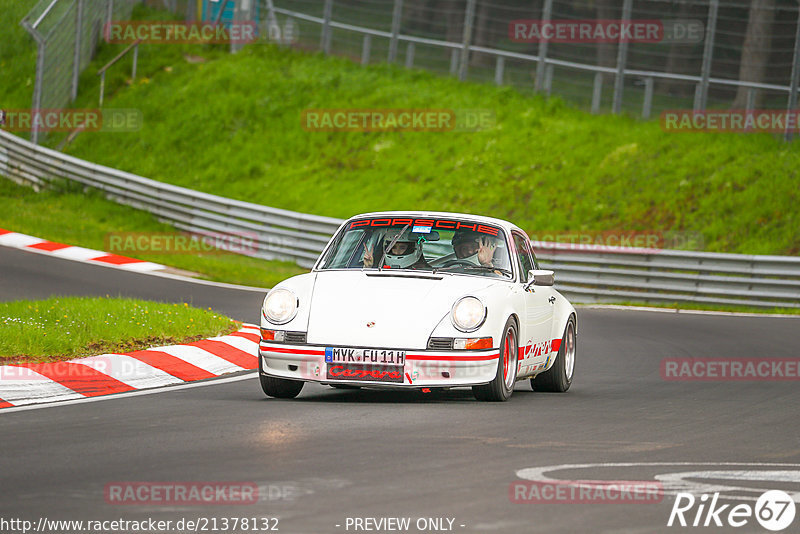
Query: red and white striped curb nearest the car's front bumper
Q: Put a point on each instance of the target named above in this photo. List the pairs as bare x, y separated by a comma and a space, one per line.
34, 383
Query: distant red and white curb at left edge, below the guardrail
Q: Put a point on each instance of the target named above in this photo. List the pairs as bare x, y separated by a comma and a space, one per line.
35, 244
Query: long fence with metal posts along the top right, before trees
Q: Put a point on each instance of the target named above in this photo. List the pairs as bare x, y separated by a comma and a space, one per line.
740, 54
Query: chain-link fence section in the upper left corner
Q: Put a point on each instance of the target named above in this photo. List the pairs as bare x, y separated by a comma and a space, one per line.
66, 33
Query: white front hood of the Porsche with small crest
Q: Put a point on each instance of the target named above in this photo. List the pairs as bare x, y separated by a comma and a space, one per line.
403, 309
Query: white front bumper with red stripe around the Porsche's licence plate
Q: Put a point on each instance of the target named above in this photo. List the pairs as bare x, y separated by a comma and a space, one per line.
425, 368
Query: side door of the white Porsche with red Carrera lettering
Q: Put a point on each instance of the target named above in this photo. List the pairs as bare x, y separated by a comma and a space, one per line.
535, 332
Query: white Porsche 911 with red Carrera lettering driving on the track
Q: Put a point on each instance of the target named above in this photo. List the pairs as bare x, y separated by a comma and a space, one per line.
420, 300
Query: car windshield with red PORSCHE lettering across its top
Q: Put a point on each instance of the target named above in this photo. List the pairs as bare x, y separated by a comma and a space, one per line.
430, 244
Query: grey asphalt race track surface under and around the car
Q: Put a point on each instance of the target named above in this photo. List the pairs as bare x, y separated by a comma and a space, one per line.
330, 454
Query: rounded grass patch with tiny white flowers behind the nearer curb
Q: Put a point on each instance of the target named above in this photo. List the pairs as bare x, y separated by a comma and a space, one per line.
62, 328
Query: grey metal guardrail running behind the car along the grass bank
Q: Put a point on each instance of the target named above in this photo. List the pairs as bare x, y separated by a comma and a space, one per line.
586, 273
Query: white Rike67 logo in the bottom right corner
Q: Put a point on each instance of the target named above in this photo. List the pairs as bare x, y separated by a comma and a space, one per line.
774, 510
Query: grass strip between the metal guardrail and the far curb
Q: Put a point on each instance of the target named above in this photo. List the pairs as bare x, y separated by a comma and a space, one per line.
90, 218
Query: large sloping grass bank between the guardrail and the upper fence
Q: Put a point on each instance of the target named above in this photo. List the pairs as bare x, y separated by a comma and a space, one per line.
231, 126
